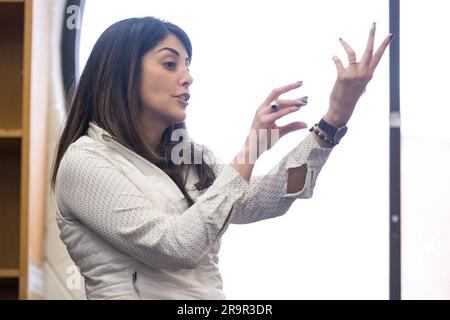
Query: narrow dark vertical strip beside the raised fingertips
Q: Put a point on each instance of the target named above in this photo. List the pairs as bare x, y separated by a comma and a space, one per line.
394, 155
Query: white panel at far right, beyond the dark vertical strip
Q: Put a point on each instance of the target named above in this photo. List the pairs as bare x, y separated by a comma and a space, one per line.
426, 149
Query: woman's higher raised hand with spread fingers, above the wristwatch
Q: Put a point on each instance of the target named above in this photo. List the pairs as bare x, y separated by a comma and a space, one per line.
352, 81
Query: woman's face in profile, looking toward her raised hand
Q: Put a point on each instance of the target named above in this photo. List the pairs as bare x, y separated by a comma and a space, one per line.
164, 77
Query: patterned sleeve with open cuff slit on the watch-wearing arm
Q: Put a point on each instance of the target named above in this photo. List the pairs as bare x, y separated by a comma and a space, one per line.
267, 195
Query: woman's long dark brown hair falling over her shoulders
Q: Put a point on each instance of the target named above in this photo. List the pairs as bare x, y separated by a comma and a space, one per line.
108, 93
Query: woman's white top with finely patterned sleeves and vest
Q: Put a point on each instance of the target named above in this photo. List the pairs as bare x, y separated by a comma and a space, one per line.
130, 231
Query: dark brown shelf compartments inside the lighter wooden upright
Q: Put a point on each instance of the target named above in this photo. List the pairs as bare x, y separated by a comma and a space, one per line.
11, 119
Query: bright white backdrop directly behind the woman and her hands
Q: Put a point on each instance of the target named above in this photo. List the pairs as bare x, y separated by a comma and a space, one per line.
335, 245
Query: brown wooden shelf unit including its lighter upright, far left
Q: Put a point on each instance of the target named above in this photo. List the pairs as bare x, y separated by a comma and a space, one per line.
15, 64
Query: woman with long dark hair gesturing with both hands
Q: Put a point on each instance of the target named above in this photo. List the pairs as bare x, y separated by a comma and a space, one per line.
139, 223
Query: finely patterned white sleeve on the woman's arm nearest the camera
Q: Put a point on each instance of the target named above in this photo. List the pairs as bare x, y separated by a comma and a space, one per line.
91, 190
